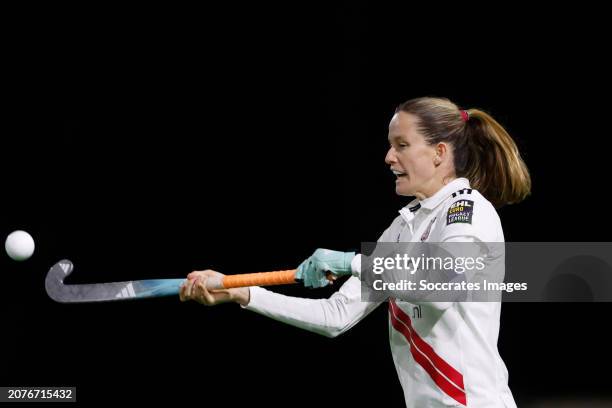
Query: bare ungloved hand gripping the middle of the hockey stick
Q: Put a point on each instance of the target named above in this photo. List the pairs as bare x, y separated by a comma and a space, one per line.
194, 288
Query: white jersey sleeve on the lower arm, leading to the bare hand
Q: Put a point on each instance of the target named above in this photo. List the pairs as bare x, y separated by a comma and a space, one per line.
329, 317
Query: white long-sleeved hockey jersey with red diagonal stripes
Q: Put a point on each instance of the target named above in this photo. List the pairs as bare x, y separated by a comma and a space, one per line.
445, 353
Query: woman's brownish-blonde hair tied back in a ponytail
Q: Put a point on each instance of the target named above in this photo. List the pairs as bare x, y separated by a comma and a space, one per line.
484, 152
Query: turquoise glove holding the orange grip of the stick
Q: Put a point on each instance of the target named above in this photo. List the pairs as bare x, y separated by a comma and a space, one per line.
313, 270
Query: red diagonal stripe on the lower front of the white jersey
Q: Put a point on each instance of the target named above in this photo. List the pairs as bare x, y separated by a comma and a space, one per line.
446, 377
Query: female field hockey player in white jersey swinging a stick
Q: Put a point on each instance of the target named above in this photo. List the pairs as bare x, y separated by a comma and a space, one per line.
446, 355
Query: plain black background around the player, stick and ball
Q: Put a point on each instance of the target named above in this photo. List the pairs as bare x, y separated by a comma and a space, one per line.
150, 143
